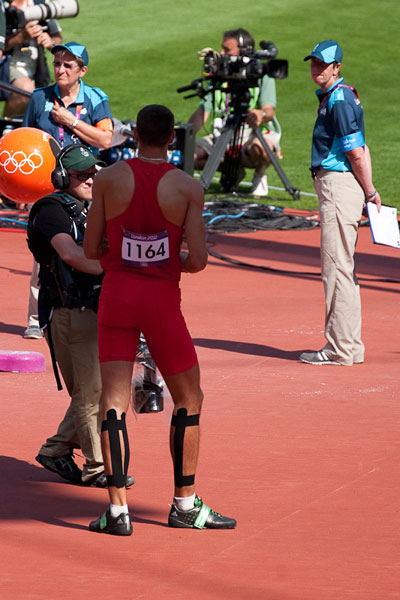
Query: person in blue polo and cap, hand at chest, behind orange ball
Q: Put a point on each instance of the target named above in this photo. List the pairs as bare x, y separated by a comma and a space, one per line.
71, 111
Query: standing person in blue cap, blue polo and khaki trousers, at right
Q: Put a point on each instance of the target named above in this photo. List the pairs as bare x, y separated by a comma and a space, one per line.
342, 173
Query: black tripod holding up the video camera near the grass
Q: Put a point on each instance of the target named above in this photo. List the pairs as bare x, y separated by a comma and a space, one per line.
232, 131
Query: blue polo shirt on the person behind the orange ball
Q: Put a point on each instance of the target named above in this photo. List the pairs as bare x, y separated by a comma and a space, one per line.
92, 102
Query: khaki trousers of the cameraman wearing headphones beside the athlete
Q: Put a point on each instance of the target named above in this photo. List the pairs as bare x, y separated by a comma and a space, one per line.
74, 335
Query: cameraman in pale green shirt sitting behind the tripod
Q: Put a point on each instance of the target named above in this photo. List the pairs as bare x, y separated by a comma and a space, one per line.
261, 113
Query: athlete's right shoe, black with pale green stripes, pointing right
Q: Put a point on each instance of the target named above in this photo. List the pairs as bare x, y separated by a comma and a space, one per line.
199, 517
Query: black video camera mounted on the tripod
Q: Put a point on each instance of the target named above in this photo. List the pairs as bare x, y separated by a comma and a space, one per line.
243, 71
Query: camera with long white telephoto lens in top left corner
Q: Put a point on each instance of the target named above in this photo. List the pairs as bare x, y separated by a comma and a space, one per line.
16, 19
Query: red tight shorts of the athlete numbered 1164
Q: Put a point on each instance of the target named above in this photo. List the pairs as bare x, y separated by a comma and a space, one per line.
129, 306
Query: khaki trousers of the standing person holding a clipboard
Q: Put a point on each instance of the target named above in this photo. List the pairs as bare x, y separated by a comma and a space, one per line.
341, 201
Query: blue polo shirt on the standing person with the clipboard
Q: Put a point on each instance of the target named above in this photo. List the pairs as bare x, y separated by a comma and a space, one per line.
339, 127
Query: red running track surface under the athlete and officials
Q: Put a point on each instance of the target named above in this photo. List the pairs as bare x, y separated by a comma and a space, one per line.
306, 458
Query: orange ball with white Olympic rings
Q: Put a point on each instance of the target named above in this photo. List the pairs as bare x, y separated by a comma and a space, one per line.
27, 158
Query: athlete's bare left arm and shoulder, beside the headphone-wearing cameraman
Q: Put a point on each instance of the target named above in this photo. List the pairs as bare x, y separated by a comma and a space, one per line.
112, 192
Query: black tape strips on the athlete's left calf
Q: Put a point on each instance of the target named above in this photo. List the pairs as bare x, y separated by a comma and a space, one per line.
113, 426
